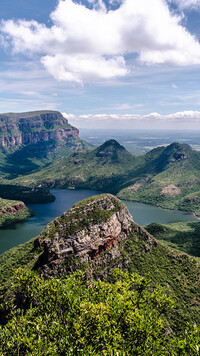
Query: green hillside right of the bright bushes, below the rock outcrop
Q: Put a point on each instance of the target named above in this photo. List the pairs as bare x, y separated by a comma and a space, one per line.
175, 271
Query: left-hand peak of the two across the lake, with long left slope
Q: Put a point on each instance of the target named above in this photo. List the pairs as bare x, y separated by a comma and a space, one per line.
104, 168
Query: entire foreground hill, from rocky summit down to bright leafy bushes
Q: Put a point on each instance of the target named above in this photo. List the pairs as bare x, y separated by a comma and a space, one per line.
98, 310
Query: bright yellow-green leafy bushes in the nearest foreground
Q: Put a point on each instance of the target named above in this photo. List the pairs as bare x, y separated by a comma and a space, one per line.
52, 317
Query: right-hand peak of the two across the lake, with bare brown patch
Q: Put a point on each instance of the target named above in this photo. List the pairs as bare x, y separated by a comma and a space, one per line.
175, 182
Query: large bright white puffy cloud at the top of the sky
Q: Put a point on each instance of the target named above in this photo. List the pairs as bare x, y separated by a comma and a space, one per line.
92, 41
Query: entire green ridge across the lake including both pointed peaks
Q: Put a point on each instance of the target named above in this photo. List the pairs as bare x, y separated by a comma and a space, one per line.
166, 176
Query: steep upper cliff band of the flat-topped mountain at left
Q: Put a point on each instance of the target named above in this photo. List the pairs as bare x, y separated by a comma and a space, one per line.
34, 127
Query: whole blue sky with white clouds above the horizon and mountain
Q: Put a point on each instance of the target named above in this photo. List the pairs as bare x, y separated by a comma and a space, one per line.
103, 63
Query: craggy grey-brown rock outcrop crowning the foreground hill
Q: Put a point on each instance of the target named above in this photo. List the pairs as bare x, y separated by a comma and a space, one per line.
85, 232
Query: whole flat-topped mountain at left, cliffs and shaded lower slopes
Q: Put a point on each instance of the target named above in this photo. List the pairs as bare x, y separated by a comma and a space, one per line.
29, 141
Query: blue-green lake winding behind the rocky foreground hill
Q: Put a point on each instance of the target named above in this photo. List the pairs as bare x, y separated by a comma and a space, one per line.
21, 232
